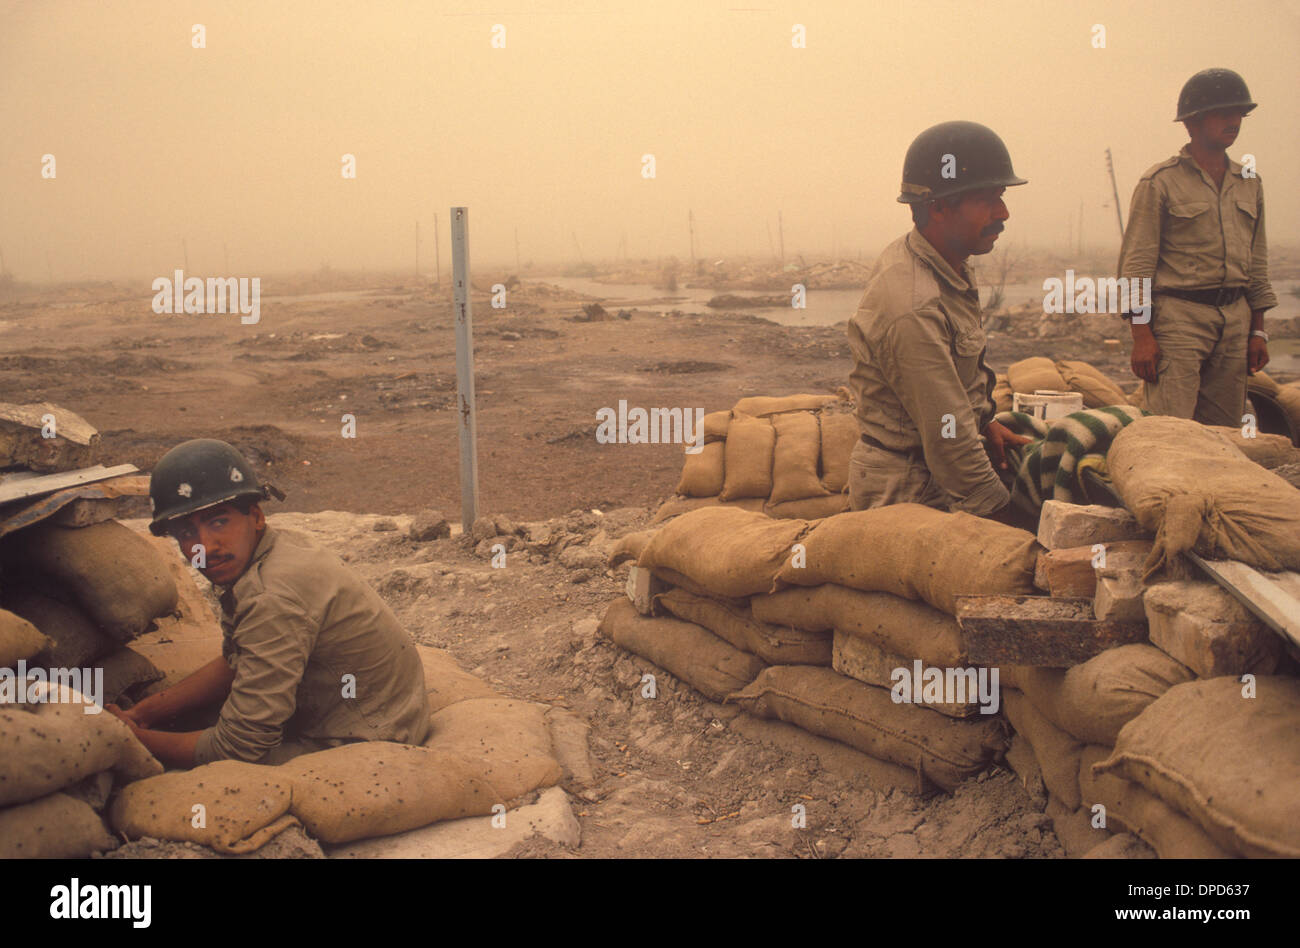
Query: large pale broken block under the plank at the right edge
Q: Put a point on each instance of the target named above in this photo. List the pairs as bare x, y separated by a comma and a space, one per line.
1202, 626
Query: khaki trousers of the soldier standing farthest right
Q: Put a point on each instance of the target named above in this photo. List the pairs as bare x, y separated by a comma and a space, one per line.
1202, 370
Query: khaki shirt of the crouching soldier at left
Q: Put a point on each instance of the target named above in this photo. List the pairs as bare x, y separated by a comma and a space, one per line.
294, 625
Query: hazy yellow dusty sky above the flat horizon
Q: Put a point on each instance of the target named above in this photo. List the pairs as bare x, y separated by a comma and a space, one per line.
237, 146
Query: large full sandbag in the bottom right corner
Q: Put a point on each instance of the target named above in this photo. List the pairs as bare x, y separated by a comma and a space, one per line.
1229, 763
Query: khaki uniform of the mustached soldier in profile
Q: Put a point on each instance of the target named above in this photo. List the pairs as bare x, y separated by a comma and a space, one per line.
922, 388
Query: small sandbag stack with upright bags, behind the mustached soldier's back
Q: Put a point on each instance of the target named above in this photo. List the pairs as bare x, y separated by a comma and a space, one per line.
787, 457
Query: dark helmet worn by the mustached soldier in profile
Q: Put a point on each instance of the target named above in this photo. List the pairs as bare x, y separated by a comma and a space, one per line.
952, 158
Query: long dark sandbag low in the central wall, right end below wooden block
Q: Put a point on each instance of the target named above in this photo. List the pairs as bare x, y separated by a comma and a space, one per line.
943, 750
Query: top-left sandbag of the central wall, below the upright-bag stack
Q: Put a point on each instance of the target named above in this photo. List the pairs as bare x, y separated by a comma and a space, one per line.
730, 553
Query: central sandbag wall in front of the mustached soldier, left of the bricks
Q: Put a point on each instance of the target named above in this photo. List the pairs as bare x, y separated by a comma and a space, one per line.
813, 624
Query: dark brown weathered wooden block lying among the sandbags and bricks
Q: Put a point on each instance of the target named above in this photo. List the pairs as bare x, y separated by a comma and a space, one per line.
1038, 630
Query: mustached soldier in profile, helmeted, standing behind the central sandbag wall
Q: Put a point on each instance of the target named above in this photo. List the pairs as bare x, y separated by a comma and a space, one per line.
920, 380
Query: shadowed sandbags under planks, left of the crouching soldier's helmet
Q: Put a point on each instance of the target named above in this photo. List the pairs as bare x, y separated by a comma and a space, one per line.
90, 591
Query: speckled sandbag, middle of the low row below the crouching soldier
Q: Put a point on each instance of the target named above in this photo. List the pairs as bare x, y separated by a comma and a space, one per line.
376, 789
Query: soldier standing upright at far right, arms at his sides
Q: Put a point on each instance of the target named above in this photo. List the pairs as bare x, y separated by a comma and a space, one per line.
1197, 231
